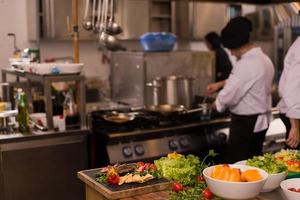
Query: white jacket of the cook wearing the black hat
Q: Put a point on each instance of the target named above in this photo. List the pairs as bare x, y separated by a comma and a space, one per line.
248, 88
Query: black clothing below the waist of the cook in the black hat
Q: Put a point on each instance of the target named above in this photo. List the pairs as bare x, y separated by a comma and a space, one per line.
243, 142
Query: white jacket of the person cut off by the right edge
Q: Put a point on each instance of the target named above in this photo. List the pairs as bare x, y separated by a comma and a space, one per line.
289, 84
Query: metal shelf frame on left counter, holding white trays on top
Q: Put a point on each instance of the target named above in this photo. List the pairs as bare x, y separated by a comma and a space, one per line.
46, 81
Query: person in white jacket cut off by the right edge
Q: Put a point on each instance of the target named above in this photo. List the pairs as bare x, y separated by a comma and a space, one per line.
289, 91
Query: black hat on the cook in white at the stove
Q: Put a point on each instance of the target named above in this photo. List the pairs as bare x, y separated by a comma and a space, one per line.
236, 33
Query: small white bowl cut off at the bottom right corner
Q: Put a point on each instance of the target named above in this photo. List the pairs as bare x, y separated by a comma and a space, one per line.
291, 183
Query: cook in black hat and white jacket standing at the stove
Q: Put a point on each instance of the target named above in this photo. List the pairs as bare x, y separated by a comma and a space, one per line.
246, 92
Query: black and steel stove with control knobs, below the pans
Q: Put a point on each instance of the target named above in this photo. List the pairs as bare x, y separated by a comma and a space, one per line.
149, 136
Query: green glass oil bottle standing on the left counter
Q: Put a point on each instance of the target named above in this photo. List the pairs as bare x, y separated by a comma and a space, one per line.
23, 115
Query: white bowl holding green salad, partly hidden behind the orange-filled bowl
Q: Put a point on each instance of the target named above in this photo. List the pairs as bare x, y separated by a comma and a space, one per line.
273, 180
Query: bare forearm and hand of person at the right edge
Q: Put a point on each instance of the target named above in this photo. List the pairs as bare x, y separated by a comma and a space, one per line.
294, 135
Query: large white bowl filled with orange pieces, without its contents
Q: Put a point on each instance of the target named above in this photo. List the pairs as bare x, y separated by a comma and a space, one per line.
235, 190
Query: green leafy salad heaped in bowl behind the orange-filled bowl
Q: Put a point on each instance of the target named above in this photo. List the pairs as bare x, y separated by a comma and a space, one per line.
267, 162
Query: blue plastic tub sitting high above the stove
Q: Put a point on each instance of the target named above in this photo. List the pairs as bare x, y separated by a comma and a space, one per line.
158, 41
